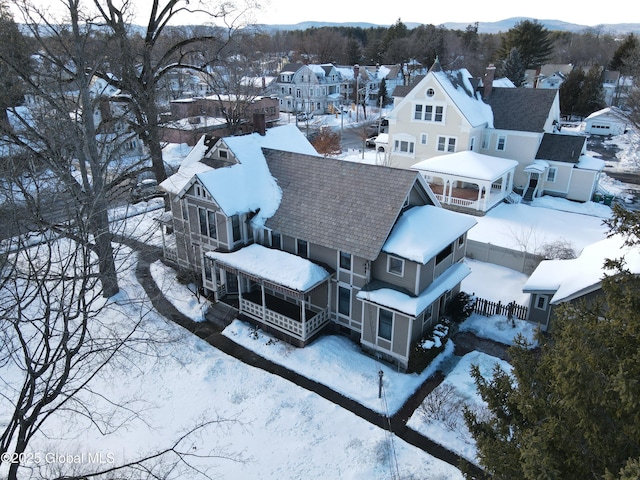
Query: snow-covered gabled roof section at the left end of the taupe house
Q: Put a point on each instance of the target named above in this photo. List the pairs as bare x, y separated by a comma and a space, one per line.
246, 186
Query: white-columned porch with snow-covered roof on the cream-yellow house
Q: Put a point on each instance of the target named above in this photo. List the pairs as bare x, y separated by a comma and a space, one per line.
469, 180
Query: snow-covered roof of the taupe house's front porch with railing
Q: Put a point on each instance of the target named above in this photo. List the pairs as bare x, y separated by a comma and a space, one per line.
275, 266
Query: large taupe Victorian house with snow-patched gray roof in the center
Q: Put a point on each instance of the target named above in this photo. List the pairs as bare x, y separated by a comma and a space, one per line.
298, 243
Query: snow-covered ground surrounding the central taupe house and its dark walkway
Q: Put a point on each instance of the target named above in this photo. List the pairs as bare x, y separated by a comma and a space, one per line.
277, 429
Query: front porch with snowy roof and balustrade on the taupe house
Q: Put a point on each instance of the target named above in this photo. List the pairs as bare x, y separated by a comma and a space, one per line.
286, 294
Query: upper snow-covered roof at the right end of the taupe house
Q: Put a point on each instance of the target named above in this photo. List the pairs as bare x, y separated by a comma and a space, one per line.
419, 235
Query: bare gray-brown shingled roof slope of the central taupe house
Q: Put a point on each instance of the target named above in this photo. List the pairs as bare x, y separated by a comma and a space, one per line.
343, 205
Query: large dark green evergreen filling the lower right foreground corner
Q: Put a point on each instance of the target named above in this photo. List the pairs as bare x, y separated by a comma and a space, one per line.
572, 408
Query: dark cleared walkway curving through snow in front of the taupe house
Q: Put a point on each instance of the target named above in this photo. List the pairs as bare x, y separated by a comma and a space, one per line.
212, 335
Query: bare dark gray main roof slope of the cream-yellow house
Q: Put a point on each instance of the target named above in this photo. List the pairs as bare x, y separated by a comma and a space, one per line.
521, 109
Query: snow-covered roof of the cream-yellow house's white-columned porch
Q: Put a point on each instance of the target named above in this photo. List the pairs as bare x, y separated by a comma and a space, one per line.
468, 164
